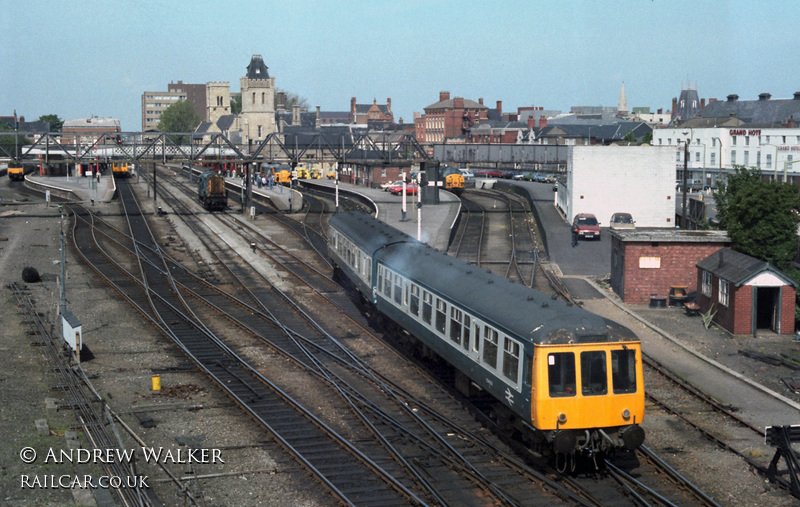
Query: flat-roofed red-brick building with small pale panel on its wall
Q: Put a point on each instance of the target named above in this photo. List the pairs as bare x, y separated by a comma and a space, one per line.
649, 262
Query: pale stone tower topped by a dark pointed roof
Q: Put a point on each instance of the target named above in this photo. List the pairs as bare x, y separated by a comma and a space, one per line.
258, 103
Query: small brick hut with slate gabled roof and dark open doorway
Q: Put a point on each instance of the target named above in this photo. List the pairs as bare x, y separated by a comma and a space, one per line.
748, 294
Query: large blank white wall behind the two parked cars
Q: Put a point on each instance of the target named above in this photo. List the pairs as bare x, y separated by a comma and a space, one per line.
639, 180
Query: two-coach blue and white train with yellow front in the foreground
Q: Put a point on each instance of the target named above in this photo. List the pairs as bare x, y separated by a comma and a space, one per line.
567, 382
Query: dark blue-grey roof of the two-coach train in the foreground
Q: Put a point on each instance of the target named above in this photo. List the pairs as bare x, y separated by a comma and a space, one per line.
516, 308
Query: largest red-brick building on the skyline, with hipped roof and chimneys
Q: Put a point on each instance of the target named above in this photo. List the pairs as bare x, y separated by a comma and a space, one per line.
449, 119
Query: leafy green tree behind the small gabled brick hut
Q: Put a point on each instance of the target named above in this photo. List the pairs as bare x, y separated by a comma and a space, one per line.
760, 216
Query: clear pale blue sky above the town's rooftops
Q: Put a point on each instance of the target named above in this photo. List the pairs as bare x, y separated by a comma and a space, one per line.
84, 57
